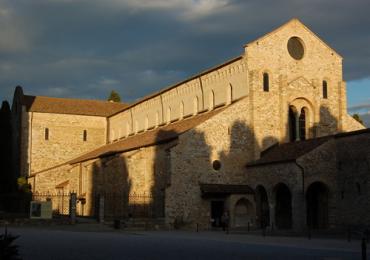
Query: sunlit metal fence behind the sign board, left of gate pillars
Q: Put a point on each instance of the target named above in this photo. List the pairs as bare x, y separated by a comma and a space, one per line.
60, 201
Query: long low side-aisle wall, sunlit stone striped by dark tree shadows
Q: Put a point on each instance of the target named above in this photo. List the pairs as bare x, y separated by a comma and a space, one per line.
138, 176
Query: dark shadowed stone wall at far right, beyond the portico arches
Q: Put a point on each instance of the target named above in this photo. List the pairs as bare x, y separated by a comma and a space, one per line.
353, 180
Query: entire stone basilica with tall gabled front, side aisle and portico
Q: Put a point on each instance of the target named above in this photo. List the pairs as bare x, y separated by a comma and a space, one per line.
265, 136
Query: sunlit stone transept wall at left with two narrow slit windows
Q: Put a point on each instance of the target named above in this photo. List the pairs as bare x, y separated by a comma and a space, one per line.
65, 138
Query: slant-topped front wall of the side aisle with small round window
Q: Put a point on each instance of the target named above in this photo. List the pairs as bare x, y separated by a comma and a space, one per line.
225, 137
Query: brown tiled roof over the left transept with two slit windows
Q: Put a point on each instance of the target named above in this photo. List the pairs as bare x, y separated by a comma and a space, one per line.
71, 106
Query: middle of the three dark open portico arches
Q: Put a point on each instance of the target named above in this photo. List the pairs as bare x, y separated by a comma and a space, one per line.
283, 206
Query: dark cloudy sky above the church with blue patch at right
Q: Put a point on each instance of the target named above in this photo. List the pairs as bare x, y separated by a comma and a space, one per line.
86, 48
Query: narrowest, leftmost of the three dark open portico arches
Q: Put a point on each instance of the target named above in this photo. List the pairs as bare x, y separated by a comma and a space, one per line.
262, 207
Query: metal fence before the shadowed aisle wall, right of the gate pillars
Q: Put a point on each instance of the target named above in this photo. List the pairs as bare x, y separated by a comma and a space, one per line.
118, 205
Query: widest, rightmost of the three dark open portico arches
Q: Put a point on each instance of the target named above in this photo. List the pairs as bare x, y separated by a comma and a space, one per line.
317, 197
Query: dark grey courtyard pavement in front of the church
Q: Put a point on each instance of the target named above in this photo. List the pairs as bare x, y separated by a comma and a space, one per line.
95, 241
